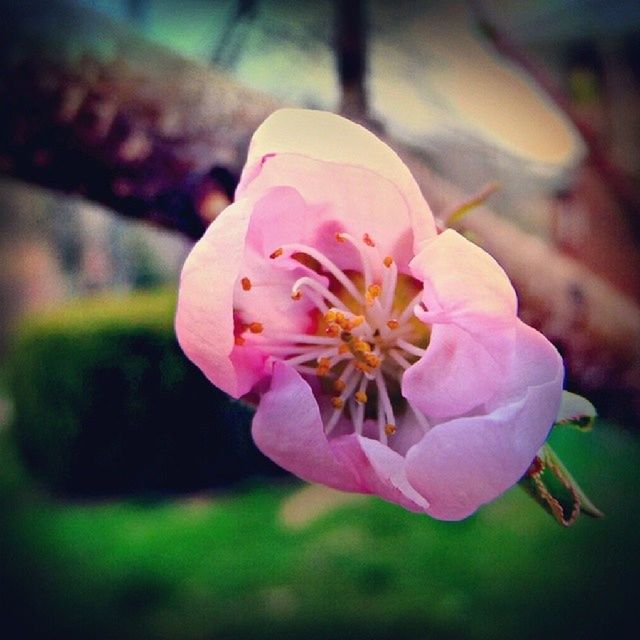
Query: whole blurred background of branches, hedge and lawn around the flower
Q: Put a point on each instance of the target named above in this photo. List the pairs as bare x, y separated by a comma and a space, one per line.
133, 502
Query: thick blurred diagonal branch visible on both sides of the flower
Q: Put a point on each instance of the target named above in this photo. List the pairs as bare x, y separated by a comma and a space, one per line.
87, 107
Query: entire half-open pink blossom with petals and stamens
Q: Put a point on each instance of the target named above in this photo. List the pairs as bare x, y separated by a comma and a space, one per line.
386, 358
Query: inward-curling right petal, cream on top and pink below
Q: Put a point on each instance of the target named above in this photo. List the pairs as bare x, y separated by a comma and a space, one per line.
472, 306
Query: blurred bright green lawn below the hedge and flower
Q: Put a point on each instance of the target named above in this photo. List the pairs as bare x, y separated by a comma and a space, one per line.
226, 567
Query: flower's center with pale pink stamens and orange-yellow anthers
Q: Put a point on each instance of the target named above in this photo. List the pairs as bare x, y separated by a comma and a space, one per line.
365, 335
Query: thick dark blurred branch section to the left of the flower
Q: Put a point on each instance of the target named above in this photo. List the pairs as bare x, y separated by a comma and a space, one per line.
88, 107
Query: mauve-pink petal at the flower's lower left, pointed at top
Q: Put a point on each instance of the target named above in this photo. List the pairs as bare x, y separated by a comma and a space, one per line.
288, 429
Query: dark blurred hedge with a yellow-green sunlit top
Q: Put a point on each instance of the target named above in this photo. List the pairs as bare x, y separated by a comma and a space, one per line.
106, 403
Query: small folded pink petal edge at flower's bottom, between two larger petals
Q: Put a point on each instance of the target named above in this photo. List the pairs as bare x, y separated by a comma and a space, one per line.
380, 470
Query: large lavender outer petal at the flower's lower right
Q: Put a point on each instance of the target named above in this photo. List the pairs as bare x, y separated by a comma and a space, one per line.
466, 462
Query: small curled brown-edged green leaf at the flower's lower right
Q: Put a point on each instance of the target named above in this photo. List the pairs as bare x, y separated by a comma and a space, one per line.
549, 482
